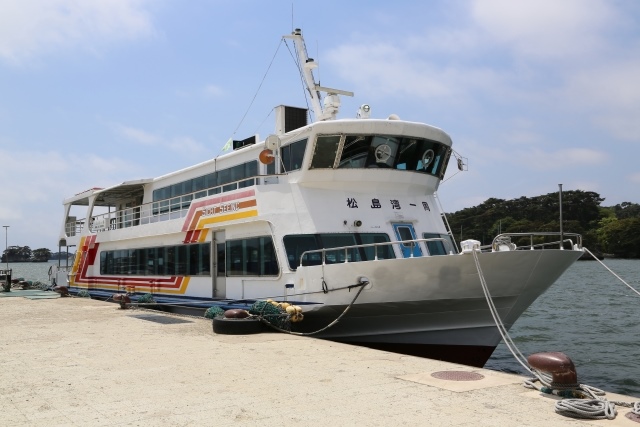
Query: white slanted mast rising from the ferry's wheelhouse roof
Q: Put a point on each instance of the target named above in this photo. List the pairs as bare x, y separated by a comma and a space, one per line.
328, 110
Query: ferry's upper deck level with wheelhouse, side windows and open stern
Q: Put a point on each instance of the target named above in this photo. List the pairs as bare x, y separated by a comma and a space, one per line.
338, 155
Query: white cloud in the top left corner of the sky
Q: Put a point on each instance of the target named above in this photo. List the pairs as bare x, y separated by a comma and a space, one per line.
32, 27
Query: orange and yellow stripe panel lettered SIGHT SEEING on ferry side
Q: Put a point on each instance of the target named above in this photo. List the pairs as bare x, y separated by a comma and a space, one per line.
221, 209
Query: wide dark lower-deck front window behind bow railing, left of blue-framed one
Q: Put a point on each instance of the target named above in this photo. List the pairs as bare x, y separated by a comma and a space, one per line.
296, 244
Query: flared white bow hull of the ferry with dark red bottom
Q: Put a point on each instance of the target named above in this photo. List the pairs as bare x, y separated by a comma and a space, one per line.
444, 315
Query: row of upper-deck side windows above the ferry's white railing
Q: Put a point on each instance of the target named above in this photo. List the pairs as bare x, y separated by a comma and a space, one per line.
213, 183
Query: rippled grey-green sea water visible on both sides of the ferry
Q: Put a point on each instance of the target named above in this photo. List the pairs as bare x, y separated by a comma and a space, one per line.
588, 314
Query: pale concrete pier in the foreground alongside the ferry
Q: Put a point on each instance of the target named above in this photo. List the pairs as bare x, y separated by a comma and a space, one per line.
80, 362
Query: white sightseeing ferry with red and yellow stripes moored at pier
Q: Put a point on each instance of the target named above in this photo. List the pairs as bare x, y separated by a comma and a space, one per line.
311, 215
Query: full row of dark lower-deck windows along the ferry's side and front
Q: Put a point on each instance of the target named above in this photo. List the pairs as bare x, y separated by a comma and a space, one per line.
254, 256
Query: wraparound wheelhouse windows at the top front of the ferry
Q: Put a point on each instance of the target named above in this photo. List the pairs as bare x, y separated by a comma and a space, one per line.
380, 151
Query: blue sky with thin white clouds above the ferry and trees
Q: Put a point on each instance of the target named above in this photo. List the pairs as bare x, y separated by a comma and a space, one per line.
534, 93
